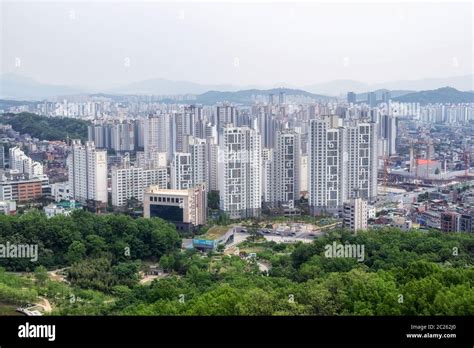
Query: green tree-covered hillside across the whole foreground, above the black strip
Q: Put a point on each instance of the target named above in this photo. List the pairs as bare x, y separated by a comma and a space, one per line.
403, 273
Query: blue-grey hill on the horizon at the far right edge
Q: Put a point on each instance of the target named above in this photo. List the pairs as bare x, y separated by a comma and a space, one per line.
440, 95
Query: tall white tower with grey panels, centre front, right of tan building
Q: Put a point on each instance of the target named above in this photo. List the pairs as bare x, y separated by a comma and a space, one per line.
240, 172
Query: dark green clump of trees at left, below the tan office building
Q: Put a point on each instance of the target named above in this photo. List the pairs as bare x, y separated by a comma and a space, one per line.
64, 241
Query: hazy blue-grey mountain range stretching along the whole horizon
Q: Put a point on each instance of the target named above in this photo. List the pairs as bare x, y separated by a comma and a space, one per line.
17, 87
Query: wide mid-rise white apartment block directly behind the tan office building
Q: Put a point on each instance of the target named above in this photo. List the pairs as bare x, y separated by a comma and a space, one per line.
128, 183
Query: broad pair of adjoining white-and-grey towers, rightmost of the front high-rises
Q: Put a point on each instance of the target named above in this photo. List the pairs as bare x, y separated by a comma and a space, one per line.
341, 159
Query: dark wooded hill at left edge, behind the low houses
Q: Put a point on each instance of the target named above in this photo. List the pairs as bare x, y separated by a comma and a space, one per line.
46, 128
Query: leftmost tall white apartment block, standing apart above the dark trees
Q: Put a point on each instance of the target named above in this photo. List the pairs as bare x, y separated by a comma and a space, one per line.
87, 168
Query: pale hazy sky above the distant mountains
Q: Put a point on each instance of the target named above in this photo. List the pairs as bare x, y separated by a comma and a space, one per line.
107, 44
